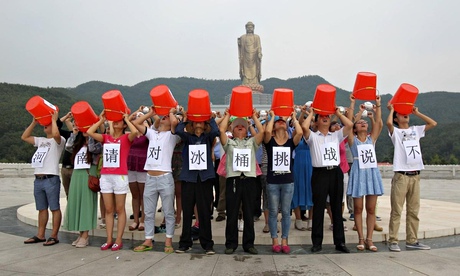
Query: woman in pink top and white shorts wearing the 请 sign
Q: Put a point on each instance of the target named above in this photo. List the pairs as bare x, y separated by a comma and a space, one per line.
114, 174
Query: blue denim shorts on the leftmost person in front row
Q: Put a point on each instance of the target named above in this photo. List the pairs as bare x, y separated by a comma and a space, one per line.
47, 192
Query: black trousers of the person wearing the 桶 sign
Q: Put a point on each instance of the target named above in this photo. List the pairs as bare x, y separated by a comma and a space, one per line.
240, 191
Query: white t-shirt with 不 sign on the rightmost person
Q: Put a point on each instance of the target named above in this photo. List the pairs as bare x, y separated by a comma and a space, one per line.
407, 146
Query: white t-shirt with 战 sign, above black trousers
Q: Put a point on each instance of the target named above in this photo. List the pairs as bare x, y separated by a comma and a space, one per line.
317, 141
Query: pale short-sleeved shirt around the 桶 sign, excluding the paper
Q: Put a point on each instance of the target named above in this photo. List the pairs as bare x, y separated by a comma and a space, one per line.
240, 144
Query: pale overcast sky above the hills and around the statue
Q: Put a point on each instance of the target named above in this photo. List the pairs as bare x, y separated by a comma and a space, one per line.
66, 43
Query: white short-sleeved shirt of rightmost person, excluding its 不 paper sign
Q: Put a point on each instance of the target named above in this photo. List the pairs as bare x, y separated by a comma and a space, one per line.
413, 133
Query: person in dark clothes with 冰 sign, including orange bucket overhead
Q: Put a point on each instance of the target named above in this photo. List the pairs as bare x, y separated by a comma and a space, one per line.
197, 169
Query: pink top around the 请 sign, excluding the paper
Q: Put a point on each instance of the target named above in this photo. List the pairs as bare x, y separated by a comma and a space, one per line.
125, 145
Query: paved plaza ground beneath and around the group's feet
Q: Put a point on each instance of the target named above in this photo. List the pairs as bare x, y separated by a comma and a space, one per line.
440, 224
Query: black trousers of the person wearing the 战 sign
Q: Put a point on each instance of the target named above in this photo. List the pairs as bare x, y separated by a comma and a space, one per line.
327, 182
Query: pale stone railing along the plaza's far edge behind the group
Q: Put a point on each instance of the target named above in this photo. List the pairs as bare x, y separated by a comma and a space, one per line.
431, 171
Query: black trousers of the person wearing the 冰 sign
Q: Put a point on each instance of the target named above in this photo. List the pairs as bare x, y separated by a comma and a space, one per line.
199, 193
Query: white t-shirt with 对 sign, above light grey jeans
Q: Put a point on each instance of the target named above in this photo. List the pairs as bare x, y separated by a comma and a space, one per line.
160, 150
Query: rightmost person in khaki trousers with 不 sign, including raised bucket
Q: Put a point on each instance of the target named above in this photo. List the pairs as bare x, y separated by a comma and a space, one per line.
407, 164
